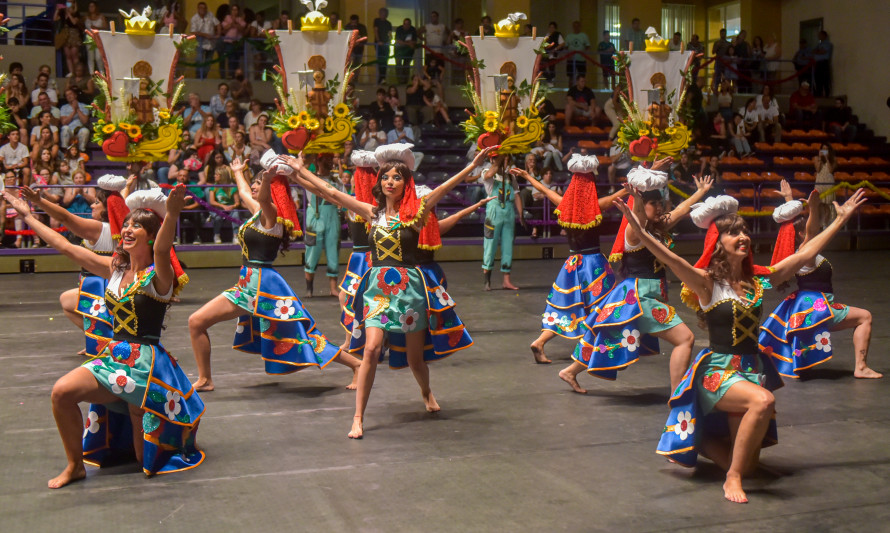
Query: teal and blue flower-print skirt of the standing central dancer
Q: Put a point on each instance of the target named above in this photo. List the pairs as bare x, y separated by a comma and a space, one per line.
402, 300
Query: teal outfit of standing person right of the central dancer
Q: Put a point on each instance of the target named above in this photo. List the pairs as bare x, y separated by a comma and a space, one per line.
500, 223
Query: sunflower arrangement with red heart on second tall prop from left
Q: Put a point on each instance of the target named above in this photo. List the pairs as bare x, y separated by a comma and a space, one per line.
299, 127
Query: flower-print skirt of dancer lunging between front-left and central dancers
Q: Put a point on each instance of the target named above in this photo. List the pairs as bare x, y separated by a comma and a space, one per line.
278, 327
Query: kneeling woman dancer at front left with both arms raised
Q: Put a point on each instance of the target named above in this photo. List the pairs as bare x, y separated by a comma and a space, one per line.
134, 368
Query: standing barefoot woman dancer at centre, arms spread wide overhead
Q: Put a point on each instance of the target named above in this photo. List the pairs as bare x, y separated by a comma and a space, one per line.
394, 297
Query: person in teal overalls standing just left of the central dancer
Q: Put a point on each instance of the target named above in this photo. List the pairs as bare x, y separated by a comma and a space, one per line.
322, 230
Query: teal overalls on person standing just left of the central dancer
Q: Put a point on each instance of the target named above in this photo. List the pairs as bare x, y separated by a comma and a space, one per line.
322, 233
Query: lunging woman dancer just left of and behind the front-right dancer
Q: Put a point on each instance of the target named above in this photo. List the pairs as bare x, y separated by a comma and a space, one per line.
635, 314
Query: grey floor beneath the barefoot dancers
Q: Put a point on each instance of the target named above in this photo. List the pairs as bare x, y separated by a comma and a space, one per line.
512, 450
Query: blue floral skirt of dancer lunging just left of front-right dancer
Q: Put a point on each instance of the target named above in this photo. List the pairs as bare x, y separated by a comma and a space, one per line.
618, 331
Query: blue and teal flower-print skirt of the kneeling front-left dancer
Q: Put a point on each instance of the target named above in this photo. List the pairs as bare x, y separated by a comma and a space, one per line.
146, 376
